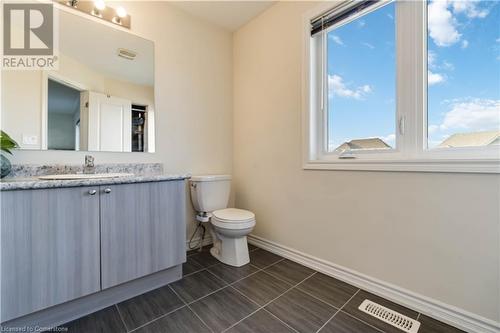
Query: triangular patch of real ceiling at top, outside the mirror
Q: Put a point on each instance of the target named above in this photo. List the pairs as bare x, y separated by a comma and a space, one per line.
230, 15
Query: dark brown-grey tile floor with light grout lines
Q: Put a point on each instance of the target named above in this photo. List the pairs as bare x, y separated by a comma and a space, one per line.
271, 294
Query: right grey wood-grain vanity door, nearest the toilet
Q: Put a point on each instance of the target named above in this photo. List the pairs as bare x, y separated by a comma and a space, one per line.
142, 229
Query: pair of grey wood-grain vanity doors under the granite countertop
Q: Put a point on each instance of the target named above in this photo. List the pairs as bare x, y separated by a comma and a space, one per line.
61, 244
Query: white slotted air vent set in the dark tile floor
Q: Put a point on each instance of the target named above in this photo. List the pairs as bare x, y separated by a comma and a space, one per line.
390, 317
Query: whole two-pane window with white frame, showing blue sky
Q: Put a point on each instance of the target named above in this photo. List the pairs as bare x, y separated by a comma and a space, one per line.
403, 86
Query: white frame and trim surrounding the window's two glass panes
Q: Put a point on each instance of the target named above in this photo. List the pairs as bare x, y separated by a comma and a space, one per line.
410, 153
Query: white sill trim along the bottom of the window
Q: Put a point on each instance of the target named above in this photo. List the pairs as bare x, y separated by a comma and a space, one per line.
452, 166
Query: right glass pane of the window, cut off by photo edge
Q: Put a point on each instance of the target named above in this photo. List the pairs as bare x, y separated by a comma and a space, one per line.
463, 81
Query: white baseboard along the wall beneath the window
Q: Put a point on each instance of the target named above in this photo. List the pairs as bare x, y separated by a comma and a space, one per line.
438, 310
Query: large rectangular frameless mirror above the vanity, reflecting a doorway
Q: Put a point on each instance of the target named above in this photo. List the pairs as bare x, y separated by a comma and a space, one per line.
101, 98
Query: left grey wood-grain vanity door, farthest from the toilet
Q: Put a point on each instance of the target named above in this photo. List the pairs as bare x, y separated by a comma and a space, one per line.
50, 247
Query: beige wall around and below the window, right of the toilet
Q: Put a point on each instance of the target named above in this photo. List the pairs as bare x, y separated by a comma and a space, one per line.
432, 233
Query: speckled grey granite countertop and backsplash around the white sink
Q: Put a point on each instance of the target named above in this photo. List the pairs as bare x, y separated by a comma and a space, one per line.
25, 177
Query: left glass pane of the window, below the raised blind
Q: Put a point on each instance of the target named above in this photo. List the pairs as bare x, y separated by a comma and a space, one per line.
361, 68
